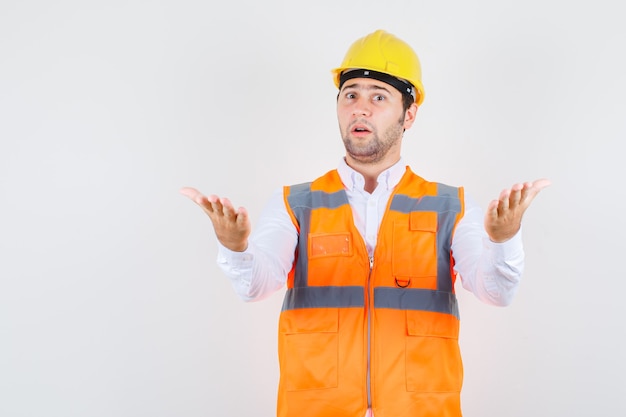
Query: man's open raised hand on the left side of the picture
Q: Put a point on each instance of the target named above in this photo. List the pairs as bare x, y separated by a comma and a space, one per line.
232, 227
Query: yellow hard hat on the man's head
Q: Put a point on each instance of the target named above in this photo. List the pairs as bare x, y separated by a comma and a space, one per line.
383, 53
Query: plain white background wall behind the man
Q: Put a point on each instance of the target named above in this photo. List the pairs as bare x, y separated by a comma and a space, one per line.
110, 300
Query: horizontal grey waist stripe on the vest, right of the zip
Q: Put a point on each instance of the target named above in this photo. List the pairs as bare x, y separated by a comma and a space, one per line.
416, 299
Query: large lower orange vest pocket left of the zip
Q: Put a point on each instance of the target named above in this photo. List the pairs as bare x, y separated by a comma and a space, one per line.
311, 349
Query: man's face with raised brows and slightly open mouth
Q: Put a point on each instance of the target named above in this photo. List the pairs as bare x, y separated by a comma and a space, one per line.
372, 120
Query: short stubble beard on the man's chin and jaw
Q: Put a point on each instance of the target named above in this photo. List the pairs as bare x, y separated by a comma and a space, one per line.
377, 147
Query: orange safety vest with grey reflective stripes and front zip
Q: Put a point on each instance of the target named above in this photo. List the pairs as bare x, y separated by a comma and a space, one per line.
381, 332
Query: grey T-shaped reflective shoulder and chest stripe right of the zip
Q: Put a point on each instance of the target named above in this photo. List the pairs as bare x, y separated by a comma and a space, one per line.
447, 205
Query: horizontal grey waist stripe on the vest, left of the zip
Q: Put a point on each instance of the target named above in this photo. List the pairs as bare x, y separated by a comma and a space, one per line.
320, 297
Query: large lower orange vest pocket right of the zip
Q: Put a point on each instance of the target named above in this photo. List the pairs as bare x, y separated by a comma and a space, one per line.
433, 357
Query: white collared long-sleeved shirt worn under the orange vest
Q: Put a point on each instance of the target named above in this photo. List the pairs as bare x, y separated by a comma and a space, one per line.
492, 271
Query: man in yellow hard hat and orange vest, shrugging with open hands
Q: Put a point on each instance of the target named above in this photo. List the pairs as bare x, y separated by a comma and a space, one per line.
370, 253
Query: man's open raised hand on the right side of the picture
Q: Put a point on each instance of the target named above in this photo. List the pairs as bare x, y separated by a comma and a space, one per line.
504, 215
